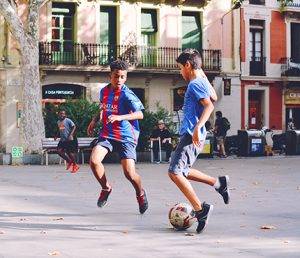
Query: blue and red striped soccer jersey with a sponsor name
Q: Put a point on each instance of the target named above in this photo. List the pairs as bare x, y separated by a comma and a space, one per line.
119, 102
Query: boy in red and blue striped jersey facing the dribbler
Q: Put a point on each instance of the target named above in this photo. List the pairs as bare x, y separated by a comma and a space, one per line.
120, 110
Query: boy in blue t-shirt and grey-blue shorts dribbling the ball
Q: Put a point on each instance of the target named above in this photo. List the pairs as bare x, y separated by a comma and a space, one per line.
197, 108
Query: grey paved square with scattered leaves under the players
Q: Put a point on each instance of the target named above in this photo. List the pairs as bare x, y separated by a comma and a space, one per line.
46, 211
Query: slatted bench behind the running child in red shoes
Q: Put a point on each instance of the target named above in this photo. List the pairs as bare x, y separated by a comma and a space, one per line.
49, 145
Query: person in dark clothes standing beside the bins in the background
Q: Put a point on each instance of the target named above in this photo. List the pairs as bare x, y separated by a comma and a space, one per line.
222, 125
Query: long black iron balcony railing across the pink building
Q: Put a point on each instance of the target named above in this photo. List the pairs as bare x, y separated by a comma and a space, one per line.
97, 57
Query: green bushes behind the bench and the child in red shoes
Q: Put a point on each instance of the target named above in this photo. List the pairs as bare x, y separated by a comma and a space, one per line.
80, 111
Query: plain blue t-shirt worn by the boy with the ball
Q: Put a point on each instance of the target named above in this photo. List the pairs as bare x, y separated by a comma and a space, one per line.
197, 89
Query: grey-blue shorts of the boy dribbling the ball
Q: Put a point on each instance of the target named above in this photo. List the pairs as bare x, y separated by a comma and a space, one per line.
184, 156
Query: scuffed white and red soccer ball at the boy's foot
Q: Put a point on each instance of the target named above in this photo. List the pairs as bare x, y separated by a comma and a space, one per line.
182, 216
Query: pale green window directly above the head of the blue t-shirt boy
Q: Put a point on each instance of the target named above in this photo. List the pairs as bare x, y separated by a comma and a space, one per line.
191, 30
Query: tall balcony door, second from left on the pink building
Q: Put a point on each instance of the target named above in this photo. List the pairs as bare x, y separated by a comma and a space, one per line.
108, 34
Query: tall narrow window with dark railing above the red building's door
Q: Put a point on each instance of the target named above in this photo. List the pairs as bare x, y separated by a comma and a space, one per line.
256, 47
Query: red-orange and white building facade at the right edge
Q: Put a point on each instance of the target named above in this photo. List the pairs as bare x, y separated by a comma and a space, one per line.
270, 64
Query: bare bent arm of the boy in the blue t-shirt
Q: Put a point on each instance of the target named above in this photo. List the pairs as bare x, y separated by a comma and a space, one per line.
208, 108
